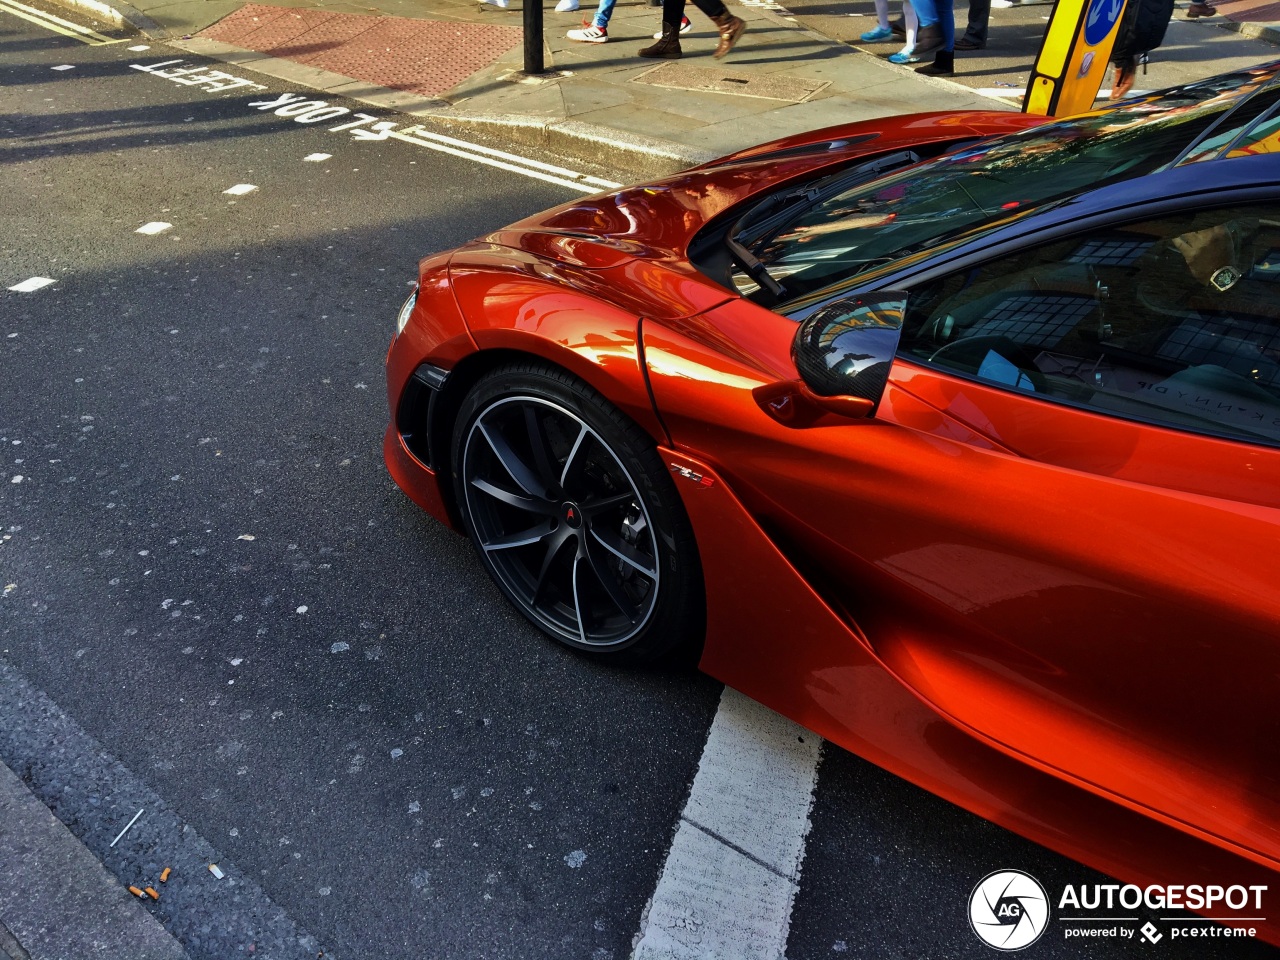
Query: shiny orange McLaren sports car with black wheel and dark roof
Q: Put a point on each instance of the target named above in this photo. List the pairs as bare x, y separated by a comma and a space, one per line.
953, 437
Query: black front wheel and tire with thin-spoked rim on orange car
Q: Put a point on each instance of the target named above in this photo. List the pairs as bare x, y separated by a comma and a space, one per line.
575, 516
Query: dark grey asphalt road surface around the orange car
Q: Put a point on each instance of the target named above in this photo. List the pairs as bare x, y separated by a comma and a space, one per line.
209, 578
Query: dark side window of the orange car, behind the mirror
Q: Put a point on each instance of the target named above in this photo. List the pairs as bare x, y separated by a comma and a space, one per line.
1173, 321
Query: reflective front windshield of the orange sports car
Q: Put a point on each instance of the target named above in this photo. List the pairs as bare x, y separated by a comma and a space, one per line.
852, 223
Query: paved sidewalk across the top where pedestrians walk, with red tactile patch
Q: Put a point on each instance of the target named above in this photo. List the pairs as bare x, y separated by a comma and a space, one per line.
460, 63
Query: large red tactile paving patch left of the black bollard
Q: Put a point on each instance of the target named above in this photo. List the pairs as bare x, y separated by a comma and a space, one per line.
420, 57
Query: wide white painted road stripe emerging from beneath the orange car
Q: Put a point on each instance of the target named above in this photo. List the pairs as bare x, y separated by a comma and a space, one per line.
734, 867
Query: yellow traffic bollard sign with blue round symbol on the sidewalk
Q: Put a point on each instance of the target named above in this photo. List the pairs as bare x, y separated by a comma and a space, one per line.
1073, 58
